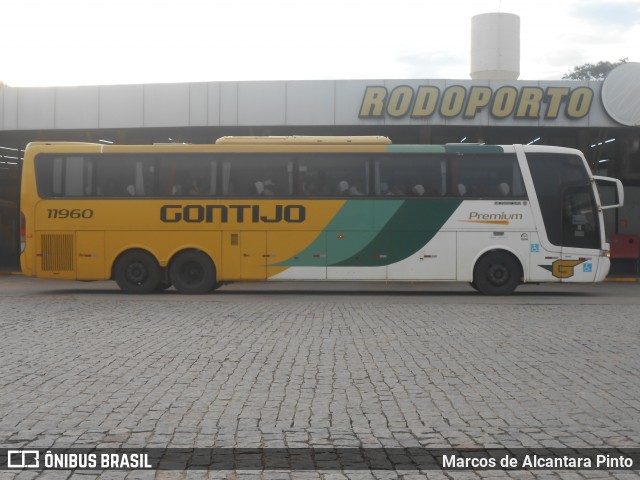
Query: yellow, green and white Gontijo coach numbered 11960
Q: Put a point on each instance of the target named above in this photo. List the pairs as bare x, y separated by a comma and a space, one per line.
311, 208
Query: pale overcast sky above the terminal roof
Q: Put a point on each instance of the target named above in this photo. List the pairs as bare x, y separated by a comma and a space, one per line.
97, 42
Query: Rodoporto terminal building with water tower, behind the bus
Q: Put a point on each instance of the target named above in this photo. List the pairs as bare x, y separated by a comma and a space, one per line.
600, 118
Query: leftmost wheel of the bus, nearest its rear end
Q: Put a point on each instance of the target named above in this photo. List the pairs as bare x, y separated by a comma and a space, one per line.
137, 271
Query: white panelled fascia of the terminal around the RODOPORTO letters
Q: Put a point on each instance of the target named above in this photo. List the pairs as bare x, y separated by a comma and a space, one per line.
275, 103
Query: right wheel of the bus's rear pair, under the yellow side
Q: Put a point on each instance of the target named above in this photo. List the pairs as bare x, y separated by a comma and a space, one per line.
193, 273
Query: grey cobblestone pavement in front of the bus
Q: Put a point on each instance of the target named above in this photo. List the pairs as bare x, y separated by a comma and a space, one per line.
90, 369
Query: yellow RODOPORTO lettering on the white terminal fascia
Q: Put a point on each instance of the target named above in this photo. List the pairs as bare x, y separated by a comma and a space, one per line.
507, 101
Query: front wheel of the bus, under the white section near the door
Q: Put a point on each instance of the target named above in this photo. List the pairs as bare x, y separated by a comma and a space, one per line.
497, 273
